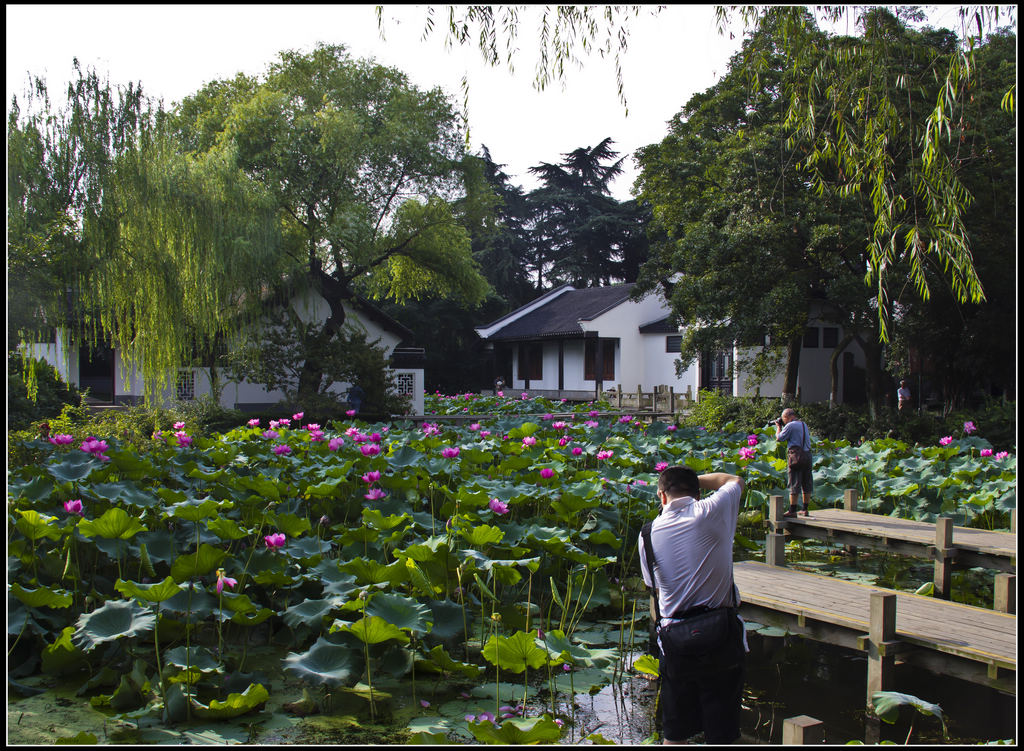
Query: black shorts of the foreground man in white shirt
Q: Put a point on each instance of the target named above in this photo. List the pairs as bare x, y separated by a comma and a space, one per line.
704, 694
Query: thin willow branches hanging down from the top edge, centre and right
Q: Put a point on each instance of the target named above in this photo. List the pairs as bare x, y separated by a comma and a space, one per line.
924, 228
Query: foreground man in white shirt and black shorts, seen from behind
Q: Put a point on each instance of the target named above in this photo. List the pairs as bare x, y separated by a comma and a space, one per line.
692, 541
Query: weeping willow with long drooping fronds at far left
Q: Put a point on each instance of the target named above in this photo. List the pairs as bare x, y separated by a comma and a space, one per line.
118, 238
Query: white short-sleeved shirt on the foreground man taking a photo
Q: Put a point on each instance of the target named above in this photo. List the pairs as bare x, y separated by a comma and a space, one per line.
693, 544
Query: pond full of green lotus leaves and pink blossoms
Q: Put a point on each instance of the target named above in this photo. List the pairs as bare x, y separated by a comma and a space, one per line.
389, 582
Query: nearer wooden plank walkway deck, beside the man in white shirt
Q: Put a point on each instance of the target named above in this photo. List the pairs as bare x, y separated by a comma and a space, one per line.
974, 644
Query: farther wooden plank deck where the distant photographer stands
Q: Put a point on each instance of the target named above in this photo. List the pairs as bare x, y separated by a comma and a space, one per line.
972, 548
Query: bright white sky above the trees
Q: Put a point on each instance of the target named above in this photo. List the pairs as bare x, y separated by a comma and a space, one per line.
175, 50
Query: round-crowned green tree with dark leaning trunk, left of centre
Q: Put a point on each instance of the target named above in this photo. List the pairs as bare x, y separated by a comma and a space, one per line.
363, 171
